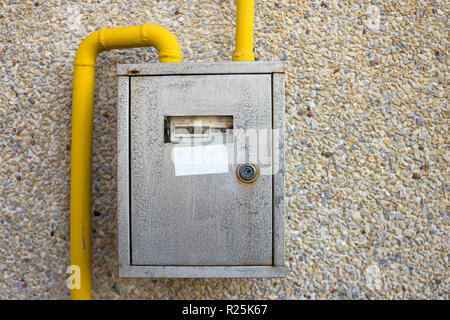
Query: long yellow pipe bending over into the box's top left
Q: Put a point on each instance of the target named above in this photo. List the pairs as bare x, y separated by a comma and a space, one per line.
82, 125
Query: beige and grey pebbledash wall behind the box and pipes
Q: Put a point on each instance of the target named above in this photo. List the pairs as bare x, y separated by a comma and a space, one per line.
367, 144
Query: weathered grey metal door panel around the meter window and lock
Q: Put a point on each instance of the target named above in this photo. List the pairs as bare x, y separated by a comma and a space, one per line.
200, 219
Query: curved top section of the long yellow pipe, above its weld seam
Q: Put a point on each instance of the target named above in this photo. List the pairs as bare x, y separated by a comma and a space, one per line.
147, 35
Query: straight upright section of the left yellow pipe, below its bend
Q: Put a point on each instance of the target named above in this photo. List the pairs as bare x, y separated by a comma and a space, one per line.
81, 172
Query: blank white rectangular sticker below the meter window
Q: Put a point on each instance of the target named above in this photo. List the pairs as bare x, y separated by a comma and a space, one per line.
200, 159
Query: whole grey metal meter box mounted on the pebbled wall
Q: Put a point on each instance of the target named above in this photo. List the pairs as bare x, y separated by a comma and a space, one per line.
201, 170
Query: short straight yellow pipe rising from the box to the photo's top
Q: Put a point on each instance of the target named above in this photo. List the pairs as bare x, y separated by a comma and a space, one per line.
245, 14
